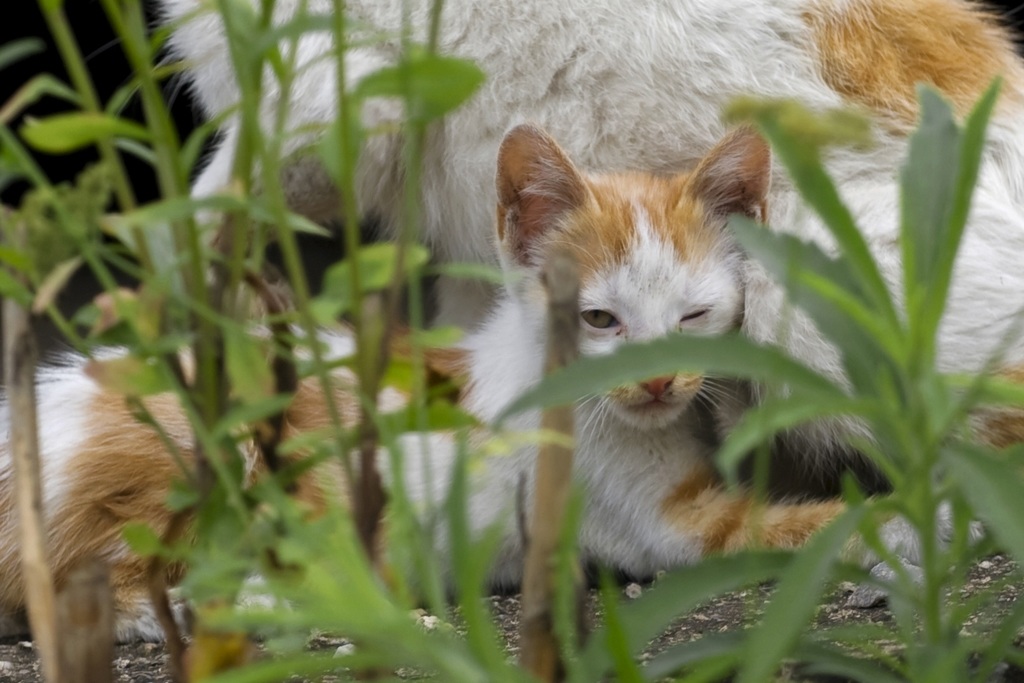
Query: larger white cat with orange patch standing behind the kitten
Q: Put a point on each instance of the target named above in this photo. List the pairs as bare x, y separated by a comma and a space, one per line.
642, 84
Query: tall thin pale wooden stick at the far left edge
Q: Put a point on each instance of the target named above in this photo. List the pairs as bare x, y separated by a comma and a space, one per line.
20, 375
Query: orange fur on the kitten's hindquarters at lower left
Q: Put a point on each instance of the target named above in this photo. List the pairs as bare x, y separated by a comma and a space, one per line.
123, 473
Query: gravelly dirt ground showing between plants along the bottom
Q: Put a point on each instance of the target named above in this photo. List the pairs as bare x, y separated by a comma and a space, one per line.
145, 663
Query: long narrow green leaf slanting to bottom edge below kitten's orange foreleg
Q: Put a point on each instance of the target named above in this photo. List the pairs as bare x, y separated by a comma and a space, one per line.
795, 600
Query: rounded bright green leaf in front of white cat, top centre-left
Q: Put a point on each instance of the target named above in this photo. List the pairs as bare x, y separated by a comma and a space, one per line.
432, 84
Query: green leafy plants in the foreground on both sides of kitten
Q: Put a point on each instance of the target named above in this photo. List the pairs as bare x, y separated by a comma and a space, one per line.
193, 298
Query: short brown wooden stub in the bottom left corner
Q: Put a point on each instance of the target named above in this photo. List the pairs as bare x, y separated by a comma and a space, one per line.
86, 609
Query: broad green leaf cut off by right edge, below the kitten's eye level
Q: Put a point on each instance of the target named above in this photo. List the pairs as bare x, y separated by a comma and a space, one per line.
993, 485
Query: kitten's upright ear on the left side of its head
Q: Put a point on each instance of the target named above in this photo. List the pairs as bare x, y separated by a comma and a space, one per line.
537, 187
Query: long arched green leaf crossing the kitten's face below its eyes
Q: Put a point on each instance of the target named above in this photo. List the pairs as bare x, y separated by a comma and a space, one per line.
724, 357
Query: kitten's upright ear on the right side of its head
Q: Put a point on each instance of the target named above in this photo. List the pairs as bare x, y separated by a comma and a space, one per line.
736, 176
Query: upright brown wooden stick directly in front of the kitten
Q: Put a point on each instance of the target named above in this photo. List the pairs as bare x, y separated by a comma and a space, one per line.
541, 652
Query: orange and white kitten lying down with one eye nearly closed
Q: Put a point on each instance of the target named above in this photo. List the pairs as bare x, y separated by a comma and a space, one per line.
656, 260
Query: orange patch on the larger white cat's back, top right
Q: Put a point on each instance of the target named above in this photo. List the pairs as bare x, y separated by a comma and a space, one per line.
875, 52
